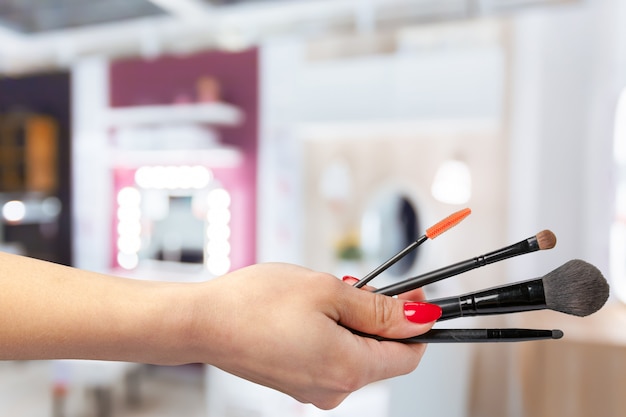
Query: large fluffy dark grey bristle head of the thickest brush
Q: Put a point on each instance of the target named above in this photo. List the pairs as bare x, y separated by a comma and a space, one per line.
576, 288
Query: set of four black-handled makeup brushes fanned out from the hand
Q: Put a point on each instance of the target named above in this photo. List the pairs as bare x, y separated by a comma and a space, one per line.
576, 288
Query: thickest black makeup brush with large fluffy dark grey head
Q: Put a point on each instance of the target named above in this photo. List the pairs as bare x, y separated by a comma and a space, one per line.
576, 287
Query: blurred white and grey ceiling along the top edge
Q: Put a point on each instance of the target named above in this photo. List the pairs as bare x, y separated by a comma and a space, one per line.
43, 34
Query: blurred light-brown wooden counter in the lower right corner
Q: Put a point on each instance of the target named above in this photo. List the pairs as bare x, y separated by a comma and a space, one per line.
581, 375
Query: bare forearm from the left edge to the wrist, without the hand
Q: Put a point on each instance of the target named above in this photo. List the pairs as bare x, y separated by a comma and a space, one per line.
49, 311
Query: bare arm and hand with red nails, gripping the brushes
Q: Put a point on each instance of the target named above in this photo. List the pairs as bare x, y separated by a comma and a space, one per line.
279, 325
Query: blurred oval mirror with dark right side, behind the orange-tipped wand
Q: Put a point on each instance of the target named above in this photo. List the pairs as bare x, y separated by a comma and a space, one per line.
389, 224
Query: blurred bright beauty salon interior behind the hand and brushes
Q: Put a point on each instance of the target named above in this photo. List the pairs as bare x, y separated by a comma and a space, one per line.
179, 140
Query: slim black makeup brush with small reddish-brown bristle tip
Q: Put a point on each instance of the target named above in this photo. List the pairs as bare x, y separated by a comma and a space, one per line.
541, 241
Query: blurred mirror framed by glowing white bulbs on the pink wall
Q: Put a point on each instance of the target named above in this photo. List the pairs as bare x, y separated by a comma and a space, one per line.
174, 214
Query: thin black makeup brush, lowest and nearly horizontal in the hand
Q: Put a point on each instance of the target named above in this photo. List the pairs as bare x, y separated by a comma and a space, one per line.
478, 336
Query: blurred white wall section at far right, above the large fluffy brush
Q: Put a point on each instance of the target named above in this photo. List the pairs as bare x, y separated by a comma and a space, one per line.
567, 74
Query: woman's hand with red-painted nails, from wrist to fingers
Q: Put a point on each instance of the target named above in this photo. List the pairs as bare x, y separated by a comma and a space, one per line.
285, 327
